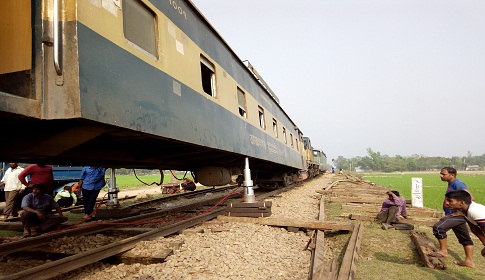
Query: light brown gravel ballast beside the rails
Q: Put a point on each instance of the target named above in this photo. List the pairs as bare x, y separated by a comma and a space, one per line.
217, 250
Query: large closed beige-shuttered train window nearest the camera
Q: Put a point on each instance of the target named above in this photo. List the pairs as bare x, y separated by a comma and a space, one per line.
139, 26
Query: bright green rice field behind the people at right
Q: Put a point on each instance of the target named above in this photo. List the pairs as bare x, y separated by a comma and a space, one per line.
433, 188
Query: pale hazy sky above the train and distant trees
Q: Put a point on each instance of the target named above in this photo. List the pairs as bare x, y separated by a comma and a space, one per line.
400, 77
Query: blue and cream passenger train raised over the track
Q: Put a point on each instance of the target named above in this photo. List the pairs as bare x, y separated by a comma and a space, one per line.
140, 84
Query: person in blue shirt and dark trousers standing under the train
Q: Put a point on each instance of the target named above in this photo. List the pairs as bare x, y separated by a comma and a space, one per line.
91, 182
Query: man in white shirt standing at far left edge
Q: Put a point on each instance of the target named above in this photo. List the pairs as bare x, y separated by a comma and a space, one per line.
13, 188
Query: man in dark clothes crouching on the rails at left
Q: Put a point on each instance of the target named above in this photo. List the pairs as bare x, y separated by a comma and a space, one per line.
37, 216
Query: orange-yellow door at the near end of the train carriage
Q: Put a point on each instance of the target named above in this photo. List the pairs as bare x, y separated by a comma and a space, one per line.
16, 47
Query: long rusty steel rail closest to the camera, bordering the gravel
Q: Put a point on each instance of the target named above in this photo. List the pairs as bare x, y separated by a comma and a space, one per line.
64, 265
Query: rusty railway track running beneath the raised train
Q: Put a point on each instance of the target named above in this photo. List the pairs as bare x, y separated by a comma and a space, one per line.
155, 224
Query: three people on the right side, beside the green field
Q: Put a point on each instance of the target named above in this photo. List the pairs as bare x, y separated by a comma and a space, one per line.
460, 209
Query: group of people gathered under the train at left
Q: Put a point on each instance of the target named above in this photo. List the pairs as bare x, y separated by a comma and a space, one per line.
35, 198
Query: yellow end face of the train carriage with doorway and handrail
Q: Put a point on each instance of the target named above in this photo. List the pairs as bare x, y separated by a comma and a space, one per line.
31, 58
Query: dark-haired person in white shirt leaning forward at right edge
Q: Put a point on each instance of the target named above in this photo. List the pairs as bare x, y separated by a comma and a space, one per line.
474, 213
